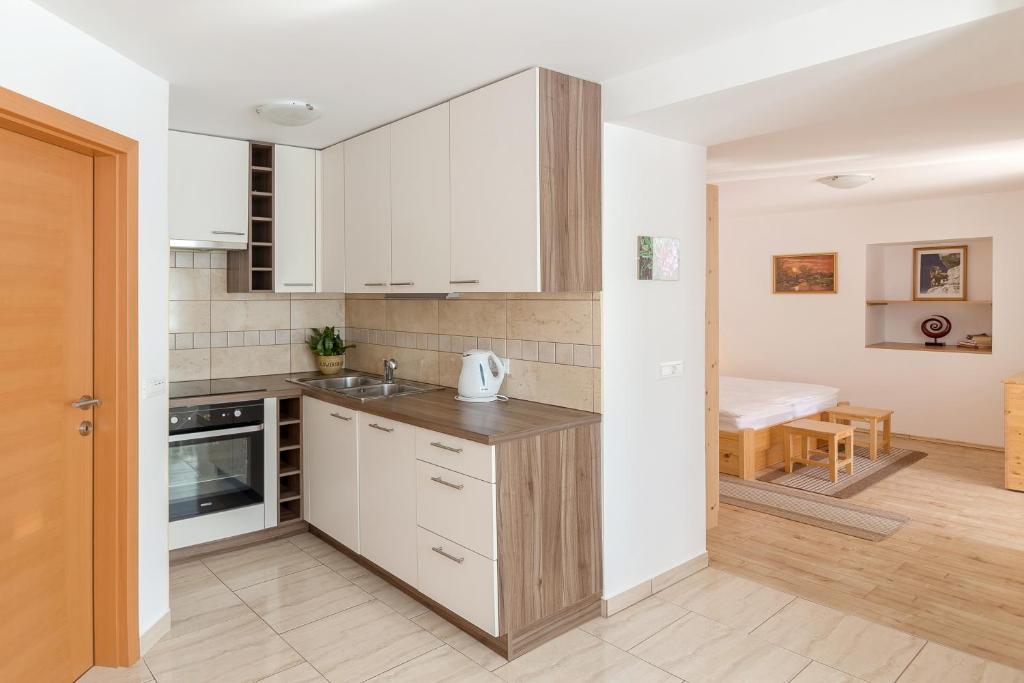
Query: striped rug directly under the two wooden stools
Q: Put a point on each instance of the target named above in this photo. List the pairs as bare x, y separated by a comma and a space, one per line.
866, 474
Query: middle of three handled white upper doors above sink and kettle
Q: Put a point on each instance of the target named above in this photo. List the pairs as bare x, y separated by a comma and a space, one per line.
420, 202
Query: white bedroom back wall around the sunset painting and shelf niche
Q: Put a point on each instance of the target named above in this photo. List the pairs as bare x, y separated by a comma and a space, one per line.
821, 338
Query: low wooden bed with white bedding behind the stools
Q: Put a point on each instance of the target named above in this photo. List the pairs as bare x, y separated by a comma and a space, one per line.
751, 415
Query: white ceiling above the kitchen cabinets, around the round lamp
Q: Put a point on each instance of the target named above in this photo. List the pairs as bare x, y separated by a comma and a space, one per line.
366, 63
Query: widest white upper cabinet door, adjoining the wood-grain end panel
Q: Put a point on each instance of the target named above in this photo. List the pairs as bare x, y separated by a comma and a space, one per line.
496, 229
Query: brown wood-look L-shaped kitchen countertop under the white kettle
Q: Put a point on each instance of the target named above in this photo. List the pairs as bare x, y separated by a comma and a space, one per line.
486, 423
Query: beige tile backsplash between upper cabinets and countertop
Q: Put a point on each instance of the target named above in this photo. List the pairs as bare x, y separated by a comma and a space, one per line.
553, 340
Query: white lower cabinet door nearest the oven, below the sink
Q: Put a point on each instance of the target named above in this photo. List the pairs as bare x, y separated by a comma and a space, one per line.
331, 476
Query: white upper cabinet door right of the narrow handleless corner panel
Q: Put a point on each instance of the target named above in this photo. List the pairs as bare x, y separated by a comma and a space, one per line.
368, 211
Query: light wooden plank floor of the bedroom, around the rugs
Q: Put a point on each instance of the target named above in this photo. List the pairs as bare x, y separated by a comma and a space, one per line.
955, 575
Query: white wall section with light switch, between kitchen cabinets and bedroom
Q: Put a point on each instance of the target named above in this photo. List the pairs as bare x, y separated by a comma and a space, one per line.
654, 474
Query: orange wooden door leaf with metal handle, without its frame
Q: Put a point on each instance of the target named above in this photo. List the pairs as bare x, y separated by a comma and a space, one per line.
47, 628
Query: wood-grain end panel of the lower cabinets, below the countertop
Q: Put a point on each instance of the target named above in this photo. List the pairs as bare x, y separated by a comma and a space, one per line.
549, 535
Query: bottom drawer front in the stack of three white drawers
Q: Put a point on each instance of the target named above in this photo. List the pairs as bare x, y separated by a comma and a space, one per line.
460, 580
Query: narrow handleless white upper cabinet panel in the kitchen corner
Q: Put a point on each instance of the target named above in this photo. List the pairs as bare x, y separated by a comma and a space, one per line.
331, 243
